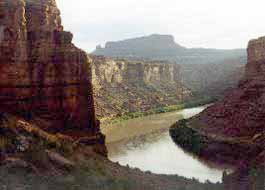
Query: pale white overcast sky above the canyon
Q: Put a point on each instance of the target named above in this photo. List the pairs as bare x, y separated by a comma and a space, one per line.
222, 24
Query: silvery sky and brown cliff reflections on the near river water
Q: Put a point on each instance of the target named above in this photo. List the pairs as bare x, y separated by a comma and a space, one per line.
156, 152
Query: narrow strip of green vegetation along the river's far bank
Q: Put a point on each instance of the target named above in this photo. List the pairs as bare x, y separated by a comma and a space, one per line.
196, 102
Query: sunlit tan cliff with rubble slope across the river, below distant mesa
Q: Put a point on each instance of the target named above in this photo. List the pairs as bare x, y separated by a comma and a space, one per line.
123, 86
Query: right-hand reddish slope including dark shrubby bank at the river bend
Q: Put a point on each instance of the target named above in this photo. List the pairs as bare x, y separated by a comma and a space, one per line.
233, 129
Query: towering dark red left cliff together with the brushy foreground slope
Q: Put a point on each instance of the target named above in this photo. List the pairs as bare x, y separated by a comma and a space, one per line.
49, 135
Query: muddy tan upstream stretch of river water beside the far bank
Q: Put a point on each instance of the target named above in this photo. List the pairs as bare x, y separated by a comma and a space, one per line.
131, 128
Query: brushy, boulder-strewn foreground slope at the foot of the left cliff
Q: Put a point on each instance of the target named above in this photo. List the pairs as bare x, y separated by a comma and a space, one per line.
33, 159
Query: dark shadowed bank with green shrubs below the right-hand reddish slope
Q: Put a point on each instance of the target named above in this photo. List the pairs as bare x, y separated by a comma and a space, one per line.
246, 154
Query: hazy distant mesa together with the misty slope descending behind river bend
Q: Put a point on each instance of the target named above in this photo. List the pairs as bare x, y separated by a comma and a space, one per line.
206, 72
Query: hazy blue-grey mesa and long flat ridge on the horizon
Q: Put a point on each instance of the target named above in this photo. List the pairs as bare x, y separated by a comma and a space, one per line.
163, 47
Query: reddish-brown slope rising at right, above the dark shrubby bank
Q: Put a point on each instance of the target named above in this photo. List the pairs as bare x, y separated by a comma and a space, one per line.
241, 113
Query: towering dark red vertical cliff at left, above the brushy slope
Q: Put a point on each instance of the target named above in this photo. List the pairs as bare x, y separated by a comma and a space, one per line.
43, 75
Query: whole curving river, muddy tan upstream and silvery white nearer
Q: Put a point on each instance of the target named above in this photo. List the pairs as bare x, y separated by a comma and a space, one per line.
145, 143
